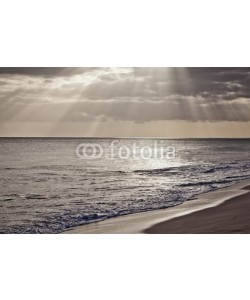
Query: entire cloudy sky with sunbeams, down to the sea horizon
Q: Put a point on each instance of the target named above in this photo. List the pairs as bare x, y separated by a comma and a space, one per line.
125, 102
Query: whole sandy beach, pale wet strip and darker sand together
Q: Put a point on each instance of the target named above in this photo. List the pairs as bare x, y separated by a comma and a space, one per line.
225, 210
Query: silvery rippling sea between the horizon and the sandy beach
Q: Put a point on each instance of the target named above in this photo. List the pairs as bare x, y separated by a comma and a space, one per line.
46, 187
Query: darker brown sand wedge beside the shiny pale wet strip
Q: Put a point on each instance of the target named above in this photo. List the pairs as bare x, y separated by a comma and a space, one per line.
232, 216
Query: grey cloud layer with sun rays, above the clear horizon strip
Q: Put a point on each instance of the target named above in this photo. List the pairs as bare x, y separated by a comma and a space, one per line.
131, 94
